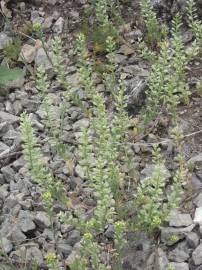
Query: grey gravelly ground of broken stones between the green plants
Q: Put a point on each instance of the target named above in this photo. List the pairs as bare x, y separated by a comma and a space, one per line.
25, 231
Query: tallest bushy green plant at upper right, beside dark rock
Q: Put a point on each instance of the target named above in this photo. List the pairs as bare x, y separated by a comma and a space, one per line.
167, 80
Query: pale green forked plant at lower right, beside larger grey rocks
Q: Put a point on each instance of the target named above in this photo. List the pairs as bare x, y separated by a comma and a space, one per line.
152, 210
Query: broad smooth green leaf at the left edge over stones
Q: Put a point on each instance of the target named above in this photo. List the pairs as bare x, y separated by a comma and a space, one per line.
7, 74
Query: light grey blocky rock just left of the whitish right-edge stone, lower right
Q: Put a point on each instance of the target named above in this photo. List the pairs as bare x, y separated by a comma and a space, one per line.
180, 220
